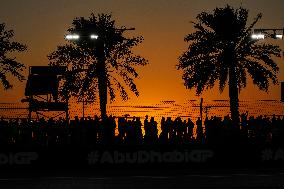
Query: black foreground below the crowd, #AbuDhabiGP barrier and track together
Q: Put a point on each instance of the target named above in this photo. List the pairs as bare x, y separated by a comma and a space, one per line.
207, 167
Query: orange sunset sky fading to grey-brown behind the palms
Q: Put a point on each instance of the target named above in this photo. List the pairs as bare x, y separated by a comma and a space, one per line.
42, 24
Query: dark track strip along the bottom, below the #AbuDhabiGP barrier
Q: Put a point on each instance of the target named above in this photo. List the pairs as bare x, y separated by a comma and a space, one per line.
177, 179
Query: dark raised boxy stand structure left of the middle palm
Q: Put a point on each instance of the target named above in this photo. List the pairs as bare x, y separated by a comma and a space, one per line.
42, 92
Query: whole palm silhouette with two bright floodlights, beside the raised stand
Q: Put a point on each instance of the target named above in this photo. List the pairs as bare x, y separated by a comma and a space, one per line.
99, 64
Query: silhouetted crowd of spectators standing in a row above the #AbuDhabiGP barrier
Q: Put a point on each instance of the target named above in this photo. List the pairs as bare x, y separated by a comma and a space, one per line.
90, 132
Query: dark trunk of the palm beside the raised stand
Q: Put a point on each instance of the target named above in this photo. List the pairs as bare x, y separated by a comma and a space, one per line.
102, 81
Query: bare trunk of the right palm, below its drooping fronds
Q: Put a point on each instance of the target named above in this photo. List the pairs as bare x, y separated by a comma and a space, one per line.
234, 96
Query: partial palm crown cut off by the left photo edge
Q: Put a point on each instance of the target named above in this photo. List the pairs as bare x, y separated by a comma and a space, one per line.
9, 65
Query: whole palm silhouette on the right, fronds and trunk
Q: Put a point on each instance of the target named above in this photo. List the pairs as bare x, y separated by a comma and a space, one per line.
221, 49
